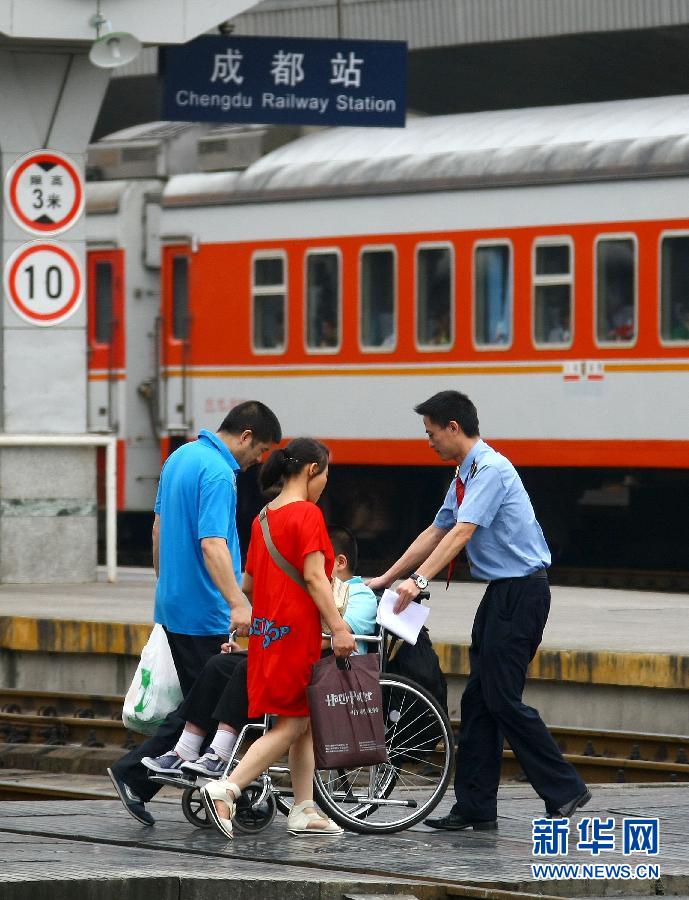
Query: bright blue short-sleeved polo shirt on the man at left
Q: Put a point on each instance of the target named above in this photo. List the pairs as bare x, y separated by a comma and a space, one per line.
197, 498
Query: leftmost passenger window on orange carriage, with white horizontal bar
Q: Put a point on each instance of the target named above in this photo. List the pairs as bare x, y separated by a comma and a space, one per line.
269, 294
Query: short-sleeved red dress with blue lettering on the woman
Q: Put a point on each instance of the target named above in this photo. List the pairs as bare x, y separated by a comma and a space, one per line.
285, 636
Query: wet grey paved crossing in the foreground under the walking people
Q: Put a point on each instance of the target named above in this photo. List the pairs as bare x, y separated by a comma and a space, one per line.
93, 849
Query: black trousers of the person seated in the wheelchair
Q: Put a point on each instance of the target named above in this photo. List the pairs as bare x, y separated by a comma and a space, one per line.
219, 694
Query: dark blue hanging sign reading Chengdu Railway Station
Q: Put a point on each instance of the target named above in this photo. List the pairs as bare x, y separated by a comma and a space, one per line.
285, 81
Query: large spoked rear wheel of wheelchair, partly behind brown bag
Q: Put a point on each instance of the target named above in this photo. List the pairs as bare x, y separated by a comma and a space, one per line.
391, 796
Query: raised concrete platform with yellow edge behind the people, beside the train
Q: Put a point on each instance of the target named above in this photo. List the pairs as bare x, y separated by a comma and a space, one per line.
613, 659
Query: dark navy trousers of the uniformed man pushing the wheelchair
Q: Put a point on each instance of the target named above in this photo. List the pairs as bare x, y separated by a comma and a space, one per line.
507, 630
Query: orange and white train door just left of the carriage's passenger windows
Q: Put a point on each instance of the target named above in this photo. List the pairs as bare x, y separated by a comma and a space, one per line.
174, 341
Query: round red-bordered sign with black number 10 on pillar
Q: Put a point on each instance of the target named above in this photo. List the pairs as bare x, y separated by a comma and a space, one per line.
43, 282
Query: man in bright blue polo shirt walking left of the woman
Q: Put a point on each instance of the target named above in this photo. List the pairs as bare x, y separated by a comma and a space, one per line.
197, 560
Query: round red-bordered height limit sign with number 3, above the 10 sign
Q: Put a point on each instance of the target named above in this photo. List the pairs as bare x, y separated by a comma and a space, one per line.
44, 192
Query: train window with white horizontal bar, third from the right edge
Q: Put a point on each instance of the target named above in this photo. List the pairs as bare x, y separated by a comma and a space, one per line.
552, 285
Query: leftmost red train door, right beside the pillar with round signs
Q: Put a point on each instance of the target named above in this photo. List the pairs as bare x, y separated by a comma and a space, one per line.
106, 359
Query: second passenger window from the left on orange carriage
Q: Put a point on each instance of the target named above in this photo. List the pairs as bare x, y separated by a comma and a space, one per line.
323, 300
